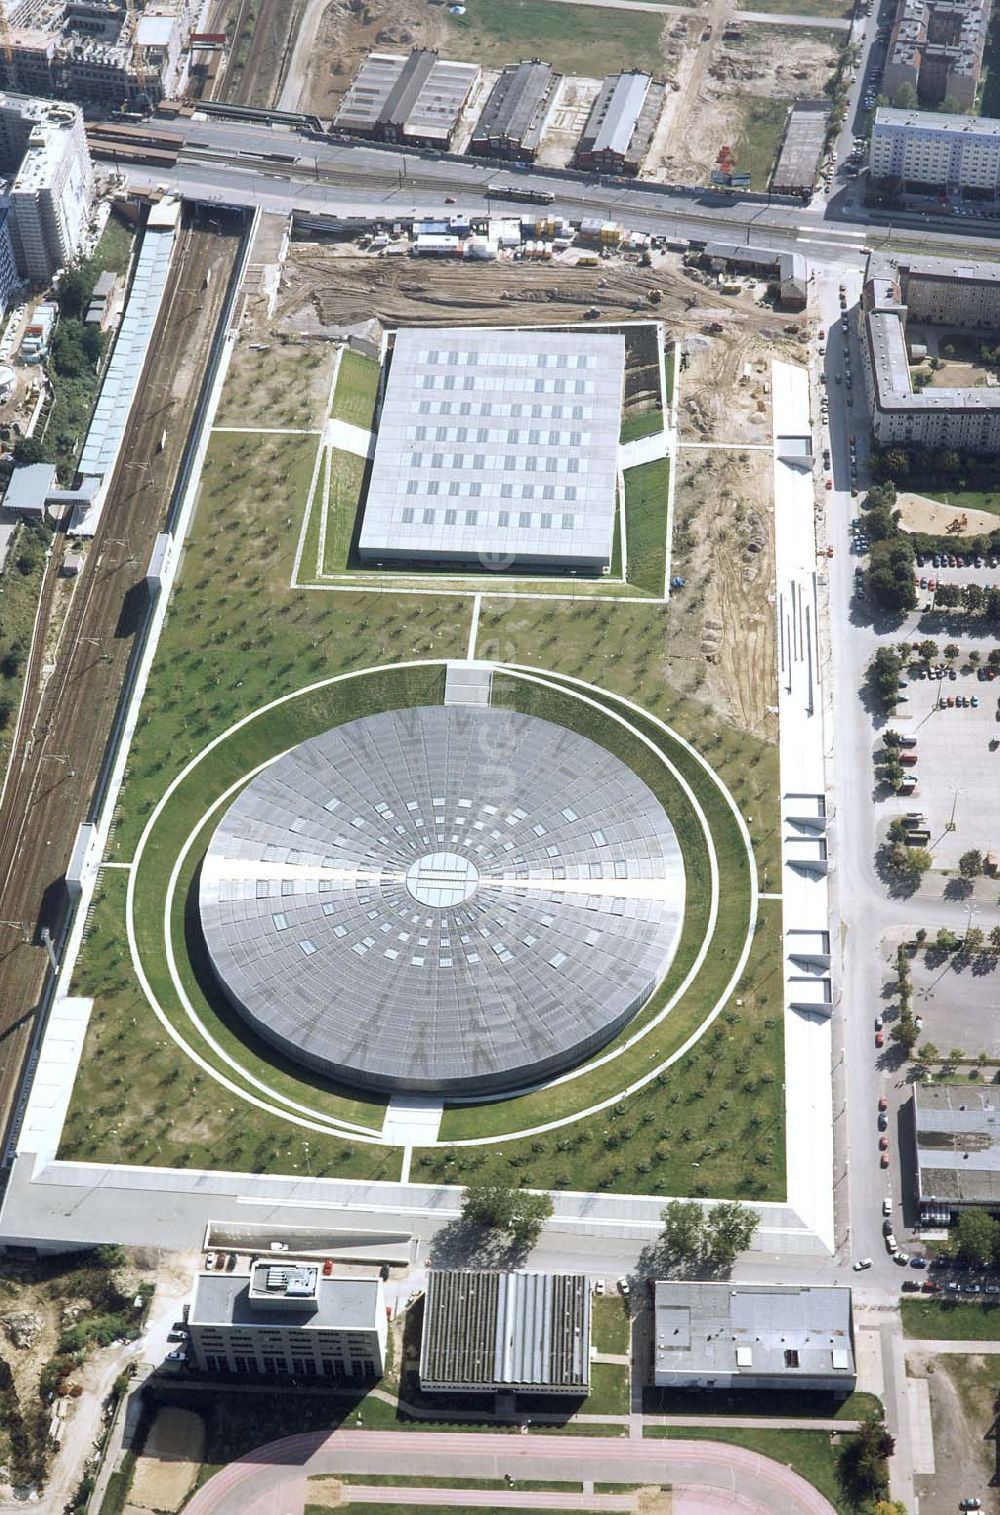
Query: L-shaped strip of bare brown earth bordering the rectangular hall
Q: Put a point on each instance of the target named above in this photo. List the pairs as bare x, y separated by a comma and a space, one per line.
722, 628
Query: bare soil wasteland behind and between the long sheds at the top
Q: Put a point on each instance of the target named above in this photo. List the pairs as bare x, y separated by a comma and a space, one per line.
731, 83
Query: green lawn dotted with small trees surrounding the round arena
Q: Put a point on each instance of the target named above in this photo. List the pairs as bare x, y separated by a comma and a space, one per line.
239, 637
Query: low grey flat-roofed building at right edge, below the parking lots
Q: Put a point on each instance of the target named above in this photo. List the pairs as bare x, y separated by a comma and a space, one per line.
958, 1151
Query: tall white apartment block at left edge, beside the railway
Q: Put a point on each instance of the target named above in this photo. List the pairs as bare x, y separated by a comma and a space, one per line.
45, 149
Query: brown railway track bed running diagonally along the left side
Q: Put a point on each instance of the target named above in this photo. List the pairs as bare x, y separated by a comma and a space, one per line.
70, 701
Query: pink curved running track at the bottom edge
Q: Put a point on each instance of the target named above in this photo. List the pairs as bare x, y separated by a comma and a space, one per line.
731, 1473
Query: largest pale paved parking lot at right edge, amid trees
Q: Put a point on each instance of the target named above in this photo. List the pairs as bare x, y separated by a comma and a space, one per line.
958, 763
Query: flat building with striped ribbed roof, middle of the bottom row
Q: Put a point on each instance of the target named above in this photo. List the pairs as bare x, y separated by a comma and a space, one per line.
507, 1332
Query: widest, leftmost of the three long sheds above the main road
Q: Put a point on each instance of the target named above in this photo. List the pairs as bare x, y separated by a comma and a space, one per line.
416, 98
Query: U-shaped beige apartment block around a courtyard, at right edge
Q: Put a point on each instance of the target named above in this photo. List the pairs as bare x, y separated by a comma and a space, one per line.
936, 292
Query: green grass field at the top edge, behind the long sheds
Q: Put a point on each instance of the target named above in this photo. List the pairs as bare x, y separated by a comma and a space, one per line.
577, 40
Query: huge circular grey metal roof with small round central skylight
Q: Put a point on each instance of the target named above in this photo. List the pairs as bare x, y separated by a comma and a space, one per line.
443, 899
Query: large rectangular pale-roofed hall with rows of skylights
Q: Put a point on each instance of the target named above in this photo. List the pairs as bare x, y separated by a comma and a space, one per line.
498, 449
